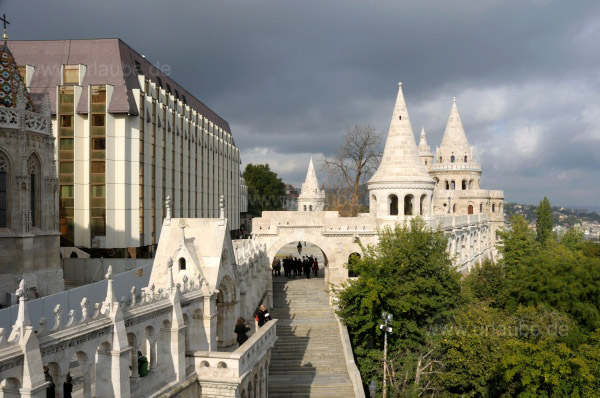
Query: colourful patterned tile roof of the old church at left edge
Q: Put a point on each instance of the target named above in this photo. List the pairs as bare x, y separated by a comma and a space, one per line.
11, 82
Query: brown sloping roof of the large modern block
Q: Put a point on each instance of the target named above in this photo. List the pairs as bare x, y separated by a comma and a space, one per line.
108, 61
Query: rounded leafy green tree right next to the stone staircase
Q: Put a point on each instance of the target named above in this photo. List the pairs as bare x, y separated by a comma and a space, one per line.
408, 273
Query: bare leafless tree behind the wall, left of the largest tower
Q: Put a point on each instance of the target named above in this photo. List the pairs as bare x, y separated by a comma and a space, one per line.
348, 172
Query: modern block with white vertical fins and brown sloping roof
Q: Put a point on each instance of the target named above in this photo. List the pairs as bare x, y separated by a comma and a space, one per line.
128, 137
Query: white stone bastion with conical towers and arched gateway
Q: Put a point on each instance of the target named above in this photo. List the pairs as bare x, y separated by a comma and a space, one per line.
407, 183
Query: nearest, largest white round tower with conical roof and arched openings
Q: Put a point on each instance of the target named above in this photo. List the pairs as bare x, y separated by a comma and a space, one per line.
401, 186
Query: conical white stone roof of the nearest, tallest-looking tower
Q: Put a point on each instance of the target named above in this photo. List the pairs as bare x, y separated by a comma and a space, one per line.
400, 162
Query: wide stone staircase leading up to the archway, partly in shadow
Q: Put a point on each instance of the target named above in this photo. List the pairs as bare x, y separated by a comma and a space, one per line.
308, 359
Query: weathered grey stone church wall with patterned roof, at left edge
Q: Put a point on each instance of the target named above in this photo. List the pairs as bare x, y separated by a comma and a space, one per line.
29, 237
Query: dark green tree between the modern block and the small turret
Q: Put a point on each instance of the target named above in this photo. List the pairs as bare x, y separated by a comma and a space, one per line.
266, 191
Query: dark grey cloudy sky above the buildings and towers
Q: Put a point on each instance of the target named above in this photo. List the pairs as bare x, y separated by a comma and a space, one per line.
291, 76
